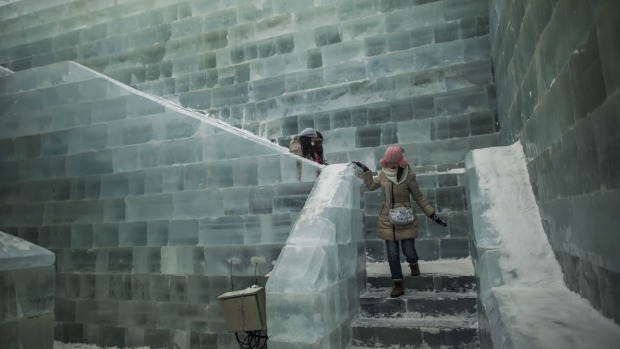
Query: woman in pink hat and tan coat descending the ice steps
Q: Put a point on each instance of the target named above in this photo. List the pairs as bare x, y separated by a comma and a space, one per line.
398, 182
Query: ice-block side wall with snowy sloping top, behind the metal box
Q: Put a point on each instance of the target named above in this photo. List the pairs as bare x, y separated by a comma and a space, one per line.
152, 210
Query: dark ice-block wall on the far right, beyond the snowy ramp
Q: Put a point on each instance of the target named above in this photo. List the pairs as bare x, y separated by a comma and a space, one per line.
558, 83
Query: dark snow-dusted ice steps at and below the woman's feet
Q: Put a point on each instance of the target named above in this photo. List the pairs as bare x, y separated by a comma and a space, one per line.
437, 310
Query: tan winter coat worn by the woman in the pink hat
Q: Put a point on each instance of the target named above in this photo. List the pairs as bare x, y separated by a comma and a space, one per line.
402, 192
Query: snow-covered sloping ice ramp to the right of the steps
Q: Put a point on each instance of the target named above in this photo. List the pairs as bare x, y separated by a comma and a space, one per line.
524, 302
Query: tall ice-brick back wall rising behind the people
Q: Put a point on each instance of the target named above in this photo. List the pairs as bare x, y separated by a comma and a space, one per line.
367, 74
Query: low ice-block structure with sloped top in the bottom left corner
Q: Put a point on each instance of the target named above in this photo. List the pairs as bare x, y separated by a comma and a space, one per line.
27, 277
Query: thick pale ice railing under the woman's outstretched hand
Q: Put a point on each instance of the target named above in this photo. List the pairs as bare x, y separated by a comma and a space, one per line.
314, 288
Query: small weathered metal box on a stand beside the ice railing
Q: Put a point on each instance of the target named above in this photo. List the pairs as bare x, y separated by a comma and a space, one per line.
244, 310
